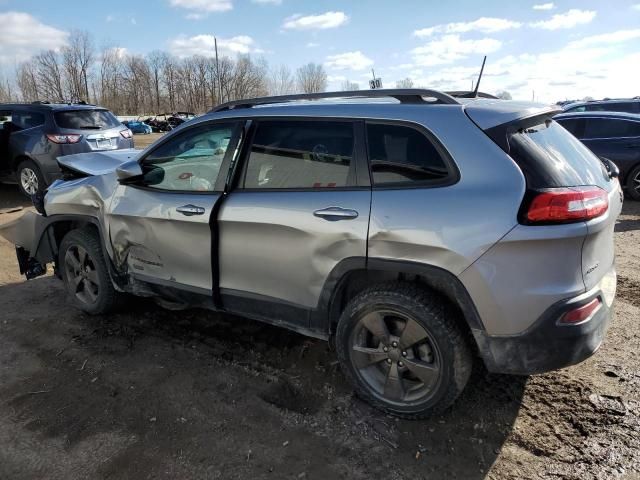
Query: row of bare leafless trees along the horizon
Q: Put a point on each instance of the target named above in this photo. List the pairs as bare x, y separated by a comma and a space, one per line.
154, 83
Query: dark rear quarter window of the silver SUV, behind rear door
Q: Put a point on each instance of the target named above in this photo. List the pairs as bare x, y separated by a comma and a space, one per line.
402, 155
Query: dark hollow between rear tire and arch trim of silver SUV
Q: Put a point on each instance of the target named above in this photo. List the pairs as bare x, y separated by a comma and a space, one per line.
437, 281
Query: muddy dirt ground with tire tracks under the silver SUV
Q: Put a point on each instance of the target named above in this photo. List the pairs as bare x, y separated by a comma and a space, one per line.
158, 394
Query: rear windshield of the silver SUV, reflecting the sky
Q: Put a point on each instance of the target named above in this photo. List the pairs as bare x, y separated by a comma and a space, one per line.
549, 156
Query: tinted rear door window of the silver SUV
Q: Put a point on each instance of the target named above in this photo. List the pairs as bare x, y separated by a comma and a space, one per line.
300, 154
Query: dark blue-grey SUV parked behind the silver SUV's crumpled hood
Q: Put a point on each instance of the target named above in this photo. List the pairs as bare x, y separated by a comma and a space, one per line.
32, 136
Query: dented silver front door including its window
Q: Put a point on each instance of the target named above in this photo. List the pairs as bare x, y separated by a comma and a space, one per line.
160, 226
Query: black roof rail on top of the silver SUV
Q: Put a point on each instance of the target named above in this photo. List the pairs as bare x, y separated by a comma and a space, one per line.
408, 95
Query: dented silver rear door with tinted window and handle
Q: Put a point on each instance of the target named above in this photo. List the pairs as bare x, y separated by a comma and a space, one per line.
297, 211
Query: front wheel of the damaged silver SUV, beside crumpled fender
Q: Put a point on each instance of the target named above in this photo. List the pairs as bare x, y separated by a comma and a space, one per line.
85, 274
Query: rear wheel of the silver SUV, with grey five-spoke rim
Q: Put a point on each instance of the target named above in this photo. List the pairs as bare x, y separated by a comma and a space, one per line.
427, 361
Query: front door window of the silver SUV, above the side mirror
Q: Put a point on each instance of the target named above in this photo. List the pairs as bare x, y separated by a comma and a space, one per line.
190, 161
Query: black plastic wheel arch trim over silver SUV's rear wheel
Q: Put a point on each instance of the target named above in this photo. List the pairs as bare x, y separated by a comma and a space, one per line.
353, 275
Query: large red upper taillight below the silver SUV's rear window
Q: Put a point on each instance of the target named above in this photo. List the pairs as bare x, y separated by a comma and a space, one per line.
564, 205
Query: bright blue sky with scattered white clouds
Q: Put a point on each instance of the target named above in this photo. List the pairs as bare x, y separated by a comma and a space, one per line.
547, 51
